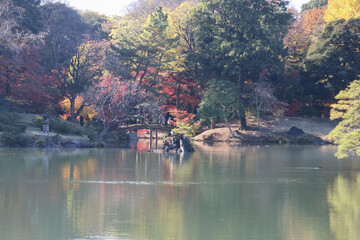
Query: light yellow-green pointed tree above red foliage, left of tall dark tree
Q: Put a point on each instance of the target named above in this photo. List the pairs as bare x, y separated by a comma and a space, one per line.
147, 55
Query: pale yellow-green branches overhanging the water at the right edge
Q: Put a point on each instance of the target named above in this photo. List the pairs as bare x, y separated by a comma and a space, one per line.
347, 133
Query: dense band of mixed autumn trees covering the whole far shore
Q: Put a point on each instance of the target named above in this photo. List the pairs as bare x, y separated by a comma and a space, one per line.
197, 61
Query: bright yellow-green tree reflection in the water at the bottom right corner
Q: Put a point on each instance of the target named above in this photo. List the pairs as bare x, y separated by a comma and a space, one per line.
344, 200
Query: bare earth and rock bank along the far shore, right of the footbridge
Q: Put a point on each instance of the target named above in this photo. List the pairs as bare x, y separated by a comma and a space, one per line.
274, 131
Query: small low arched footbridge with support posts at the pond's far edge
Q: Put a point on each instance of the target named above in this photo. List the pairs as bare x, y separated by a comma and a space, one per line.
151, 127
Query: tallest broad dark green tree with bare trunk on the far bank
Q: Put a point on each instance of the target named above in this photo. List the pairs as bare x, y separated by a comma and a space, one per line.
237, 39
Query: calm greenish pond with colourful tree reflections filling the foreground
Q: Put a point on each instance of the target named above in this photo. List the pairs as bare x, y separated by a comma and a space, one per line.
265, 193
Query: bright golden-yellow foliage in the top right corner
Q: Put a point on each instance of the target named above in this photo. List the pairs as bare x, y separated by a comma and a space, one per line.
342, 9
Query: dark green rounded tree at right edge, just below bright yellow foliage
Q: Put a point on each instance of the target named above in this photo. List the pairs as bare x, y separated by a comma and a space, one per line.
332, 61
